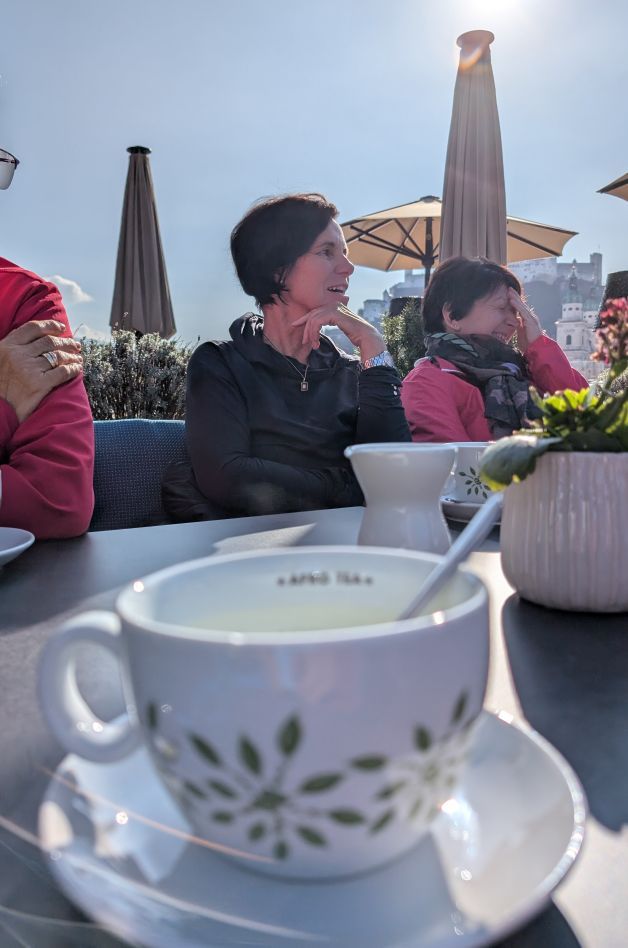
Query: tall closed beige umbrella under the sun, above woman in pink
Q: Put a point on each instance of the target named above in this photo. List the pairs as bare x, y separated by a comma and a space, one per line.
473, 220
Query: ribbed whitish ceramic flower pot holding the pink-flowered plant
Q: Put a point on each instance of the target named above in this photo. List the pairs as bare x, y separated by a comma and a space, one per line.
564, 534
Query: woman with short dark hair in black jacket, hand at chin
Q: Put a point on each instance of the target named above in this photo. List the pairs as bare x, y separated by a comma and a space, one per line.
270, 412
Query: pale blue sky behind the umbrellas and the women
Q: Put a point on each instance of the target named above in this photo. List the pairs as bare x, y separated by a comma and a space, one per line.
243, 98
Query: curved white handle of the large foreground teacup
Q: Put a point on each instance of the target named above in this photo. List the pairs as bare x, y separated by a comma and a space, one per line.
71, 719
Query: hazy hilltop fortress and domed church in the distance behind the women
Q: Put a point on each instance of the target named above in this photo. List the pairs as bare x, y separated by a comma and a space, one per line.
565, 296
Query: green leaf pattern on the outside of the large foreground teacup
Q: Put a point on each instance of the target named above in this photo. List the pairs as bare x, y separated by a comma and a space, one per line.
254, 790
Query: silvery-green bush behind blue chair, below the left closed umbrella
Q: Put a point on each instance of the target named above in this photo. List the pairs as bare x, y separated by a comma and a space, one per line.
130, 377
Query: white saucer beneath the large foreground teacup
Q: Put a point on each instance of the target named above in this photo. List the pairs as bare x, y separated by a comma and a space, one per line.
495, 853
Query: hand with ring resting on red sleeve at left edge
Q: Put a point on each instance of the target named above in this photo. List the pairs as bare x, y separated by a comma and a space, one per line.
35, 359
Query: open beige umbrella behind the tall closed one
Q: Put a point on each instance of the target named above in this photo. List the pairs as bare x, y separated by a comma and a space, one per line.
407, 237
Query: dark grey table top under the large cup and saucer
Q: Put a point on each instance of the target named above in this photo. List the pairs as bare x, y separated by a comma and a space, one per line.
566, 673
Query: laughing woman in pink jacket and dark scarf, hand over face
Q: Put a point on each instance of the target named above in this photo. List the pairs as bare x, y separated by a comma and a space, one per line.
473, 384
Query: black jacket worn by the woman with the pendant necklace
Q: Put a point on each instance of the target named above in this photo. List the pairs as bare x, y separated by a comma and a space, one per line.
258, 444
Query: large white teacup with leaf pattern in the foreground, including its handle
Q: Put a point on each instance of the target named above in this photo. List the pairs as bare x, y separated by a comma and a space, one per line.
301, 729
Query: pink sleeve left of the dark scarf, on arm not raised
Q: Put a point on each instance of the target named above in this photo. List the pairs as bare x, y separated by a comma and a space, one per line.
429, 401
